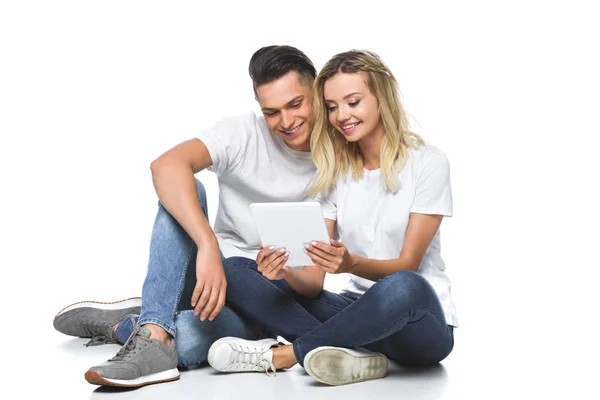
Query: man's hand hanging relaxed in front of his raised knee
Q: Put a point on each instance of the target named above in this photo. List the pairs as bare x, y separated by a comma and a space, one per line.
211, 284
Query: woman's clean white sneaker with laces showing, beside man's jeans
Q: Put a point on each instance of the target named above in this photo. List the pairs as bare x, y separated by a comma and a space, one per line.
230, 354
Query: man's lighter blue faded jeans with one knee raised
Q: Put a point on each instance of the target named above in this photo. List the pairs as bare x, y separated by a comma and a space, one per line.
167, 293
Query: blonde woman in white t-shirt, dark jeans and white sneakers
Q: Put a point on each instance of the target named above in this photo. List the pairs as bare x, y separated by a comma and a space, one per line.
384, 193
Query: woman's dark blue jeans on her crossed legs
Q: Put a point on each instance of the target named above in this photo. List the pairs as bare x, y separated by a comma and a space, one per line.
399, 316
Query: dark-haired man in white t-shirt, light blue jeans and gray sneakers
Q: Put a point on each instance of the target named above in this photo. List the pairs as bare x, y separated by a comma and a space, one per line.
256, 159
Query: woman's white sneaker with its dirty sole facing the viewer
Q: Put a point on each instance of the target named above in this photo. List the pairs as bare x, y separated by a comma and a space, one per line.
340, 366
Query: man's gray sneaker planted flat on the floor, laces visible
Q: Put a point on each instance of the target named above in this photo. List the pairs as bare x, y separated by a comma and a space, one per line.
141, 361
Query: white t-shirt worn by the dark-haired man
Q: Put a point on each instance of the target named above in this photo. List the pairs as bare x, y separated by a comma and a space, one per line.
252, 165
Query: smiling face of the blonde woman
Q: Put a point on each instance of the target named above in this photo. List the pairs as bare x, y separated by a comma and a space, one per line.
353, 109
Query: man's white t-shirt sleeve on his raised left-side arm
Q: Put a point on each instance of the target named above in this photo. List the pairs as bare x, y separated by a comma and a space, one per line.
226, 142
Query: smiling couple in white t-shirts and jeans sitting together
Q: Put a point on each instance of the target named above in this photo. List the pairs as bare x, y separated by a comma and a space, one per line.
341, 138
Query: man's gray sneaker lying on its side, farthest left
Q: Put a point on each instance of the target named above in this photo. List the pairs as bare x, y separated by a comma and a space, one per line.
91, 319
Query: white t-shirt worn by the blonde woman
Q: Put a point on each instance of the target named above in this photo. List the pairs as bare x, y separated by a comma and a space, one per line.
372, 221
